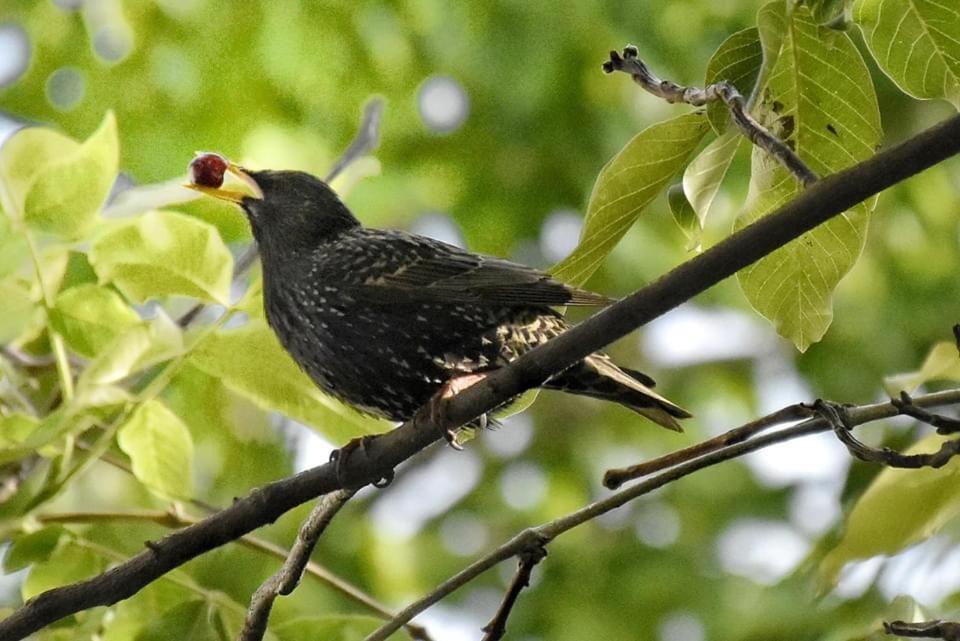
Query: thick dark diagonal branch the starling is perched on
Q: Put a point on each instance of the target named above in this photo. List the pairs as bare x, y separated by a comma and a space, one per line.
818, 203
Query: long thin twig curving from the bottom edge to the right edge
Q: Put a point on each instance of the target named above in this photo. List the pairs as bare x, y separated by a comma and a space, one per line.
546, 532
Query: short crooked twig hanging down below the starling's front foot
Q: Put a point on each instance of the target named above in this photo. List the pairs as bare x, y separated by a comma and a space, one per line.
286, 579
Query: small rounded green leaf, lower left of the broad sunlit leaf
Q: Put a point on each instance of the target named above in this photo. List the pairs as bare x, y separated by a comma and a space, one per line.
89, 317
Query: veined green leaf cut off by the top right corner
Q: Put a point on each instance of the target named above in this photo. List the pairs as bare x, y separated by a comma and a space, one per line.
916, 43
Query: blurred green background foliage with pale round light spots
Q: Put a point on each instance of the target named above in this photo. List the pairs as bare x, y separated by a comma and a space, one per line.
497, 123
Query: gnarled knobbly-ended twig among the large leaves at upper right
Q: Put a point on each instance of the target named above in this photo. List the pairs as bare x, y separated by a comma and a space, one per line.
723, 92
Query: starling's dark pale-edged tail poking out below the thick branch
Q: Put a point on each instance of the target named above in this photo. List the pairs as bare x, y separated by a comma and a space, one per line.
596, 376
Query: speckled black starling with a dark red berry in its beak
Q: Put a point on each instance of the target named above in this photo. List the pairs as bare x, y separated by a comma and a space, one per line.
385, 320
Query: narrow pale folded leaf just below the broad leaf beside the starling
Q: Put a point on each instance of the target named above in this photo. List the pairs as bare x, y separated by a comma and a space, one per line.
145, 344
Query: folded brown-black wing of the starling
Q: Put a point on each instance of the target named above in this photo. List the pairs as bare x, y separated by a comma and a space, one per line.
435, 272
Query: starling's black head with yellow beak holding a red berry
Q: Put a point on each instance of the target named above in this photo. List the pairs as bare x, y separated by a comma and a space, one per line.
288, 210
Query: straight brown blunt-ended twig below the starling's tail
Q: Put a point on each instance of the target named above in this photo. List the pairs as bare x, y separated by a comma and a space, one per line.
614, 478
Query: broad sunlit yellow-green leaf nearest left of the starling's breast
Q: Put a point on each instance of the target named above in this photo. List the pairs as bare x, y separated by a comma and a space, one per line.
164, 253
